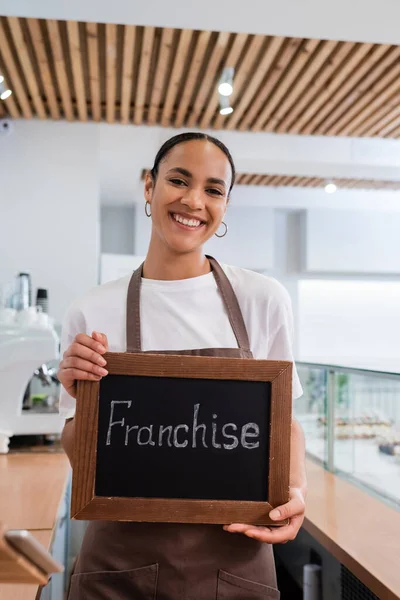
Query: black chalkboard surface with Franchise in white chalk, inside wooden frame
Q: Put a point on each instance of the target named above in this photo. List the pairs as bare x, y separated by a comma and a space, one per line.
183, 438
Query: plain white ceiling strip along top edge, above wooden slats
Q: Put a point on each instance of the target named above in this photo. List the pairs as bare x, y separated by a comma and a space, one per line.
358, 20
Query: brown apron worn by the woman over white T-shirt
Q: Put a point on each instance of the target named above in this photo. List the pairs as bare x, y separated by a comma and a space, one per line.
163, 561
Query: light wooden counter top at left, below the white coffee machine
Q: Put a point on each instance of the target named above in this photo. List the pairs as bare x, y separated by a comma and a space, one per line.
32, 488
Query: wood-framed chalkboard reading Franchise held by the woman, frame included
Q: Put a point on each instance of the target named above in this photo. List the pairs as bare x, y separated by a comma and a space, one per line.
184, 439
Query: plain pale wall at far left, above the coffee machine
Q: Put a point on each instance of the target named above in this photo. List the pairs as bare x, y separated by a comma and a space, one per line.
49, 207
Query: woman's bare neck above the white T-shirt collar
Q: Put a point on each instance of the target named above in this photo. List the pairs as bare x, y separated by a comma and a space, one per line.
169, 265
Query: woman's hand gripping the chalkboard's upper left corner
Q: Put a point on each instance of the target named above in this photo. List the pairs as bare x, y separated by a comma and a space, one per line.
83, 360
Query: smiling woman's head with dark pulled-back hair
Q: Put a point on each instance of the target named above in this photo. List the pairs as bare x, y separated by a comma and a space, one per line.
188, 190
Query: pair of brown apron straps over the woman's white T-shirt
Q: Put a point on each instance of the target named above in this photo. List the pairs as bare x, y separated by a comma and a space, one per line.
133, 337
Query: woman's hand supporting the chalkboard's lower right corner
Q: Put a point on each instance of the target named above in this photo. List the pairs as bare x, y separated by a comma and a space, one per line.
293, 510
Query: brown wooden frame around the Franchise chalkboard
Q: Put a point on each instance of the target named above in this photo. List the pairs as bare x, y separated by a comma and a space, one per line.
85, 504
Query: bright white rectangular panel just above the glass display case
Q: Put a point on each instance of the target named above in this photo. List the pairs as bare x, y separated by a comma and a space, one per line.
350, 322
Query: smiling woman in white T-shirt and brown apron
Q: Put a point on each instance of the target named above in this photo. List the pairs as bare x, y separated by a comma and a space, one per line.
183, 302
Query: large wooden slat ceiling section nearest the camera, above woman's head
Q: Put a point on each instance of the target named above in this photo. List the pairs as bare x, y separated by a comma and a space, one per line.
148, 75
